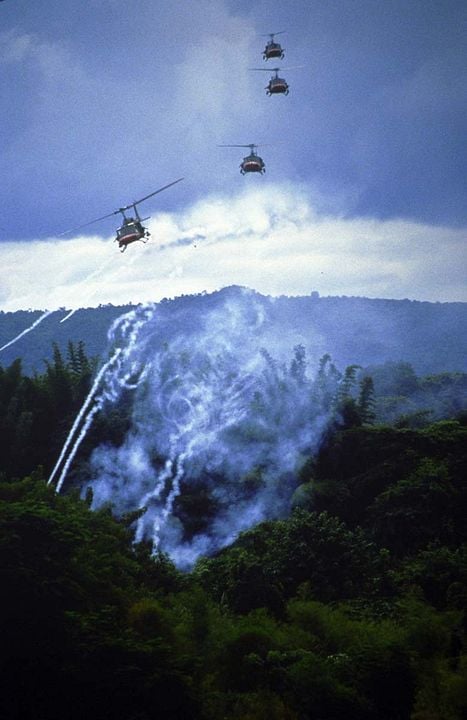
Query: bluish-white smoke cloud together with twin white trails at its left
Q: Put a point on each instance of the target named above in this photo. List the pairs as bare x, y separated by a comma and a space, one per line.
219, 413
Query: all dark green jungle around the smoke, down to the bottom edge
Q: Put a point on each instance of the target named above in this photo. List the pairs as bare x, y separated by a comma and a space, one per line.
352, 607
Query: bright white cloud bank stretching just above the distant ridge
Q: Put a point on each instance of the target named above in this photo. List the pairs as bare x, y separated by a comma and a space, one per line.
272, 239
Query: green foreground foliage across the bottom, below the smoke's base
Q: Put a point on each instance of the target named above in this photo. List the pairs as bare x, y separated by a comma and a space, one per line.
94, 626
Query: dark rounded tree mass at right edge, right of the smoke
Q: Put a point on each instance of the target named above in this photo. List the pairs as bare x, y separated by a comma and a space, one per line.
406, 487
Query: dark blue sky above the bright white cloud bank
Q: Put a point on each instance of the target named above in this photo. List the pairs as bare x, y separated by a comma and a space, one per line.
102, 101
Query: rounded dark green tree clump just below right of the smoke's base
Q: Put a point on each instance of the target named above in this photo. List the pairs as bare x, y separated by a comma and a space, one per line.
266, 565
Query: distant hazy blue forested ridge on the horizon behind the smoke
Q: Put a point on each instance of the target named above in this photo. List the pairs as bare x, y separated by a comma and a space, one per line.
432, 337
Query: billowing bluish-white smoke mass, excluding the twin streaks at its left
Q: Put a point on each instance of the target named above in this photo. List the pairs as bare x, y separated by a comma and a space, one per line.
214, 416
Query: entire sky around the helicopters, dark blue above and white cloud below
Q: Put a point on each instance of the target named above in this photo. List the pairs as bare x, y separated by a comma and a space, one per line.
103, 101
